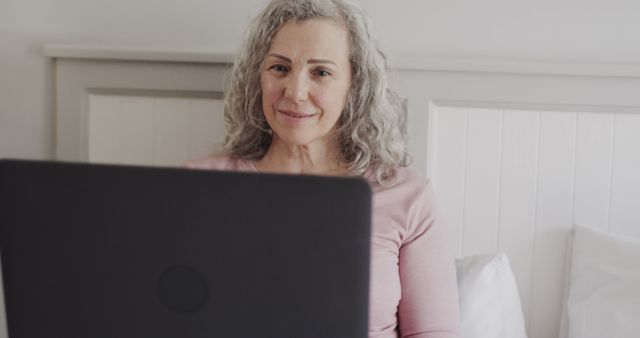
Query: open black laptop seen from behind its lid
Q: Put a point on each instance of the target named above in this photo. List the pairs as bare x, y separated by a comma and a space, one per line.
120, 251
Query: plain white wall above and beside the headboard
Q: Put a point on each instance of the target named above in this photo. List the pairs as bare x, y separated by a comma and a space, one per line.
596, 31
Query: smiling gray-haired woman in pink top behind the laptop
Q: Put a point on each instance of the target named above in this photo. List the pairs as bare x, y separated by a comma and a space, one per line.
309, 95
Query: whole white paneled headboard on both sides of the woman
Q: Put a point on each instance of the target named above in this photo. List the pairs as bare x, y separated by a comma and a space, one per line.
517, 152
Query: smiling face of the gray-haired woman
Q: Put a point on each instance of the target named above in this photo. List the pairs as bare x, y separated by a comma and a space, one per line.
305, 79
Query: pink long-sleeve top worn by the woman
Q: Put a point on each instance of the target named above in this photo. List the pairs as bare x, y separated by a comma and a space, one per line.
413, 280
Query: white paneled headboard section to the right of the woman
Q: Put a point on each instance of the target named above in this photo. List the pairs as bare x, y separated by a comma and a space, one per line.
518, 153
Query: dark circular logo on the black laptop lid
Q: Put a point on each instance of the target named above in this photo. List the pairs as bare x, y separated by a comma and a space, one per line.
183, 289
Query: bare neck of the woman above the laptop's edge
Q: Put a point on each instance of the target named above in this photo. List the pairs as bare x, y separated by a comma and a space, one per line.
313, 159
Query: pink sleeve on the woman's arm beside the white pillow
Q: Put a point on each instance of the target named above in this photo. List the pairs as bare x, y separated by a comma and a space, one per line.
429, 300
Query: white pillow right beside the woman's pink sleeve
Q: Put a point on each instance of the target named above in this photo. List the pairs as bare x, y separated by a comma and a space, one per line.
489, 301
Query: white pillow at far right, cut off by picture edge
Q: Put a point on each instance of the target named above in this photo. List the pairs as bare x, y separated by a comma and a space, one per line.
603, 287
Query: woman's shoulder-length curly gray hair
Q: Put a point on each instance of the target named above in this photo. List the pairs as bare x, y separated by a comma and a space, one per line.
371, 129
